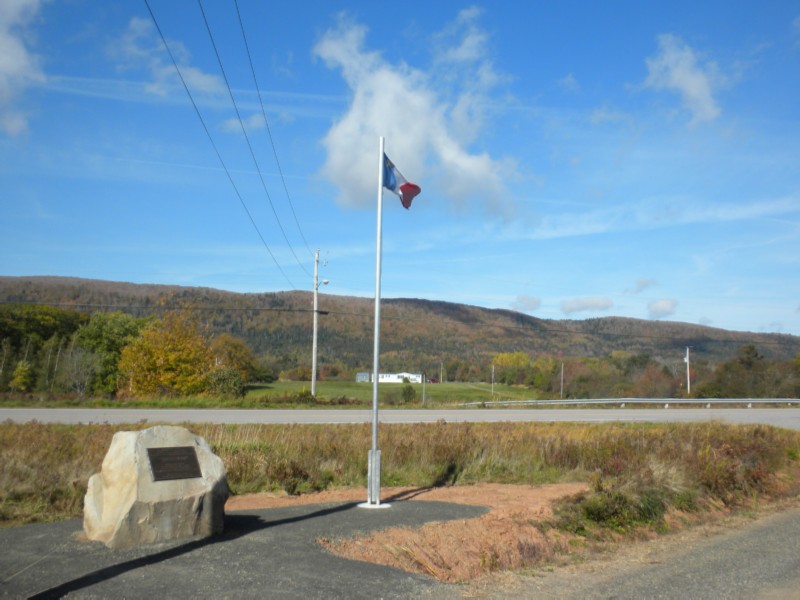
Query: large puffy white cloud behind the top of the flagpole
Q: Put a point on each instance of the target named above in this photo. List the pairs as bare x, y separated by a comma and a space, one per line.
428, 121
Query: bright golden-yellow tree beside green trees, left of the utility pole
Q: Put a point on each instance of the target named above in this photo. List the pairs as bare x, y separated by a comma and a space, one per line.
171, 357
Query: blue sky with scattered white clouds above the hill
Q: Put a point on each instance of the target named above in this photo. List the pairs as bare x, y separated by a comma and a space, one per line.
576, 159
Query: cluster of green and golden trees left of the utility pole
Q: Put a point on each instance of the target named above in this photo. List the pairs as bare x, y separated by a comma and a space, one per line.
53, 350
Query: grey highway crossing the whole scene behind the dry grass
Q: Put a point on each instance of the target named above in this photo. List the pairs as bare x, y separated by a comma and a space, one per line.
780, 417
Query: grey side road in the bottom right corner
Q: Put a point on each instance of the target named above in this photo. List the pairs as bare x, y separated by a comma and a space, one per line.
759, 561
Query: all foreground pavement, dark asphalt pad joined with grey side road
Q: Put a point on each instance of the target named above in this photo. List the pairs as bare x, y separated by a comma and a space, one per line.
273, 554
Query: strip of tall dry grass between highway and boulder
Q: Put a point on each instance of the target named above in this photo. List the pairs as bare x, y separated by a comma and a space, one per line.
638, 471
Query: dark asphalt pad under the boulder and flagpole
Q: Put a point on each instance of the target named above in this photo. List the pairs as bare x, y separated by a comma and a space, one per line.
262, 554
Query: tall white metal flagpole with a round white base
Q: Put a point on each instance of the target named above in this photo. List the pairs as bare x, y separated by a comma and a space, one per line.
374, 459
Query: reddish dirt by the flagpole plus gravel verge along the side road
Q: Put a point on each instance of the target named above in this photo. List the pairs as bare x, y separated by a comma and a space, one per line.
505, 553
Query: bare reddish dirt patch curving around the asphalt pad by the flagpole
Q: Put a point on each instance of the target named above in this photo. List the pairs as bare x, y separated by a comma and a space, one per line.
509, 536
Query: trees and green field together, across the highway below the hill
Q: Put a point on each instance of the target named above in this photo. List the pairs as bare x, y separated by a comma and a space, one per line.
59, 357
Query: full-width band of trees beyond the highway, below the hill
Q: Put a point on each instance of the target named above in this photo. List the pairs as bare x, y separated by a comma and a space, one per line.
177, 353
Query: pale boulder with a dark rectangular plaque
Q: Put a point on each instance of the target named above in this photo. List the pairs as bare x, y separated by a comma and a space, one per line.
150, 489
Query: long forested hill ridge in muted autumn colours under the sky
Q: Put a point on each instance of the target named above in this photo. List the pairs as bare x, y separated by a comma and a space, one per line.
415, 334
